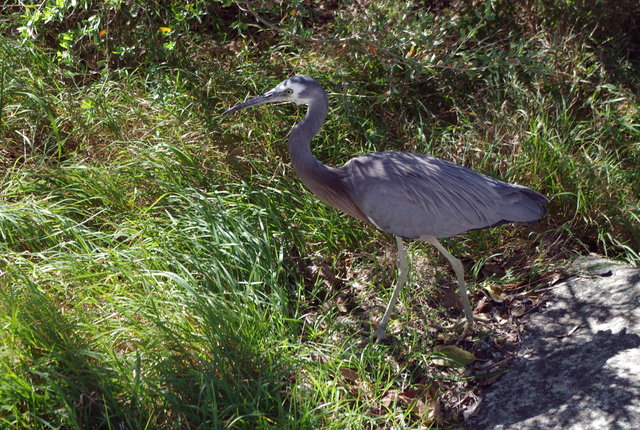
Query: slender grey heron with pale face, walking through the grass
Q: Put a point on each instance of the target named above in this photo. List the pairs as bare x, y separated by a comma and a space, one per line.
409, 195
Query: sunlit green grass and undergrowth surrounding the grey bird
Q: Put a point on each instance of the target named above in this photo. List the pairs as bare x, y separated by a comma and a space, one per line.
162, 266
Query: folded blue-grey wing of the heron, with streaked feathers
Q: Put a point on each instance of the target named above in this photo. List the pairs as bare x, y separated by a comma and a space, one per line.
413, 195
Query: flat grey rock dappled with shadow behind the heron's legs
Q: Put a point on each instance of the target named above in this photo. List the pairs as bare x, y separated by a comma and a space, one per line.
578, 366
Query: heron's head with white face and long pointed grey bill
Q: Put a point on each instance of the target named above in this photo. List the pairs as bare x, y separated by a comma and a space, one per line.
299, 89
